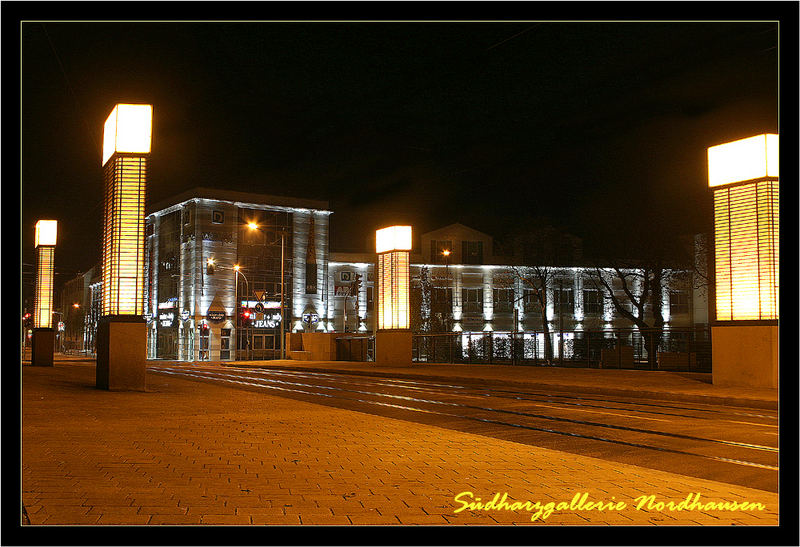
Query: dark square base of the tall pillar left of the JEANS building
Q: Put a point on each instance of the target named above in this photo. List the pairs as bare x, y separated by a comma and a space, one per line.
121, 353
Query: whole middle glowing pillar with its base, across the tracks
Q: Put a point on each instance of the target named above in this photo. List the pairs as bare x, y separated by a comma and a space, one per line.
393, 336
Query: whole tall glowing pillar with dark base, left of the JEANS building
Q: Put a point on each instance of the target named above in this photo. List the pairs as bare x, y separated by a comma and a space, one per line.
121, 330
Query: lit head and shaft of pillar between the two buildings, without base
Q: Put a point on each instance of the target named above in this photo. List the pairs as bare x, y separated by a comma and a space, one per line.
393, 245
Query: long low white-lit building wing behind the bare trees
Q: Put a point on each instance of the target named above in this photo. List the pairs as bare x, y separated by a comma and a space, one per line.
468, 290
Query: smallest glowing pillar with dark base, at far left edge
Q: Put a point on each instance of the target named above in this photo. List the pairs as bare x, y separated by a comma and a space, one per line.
43, 338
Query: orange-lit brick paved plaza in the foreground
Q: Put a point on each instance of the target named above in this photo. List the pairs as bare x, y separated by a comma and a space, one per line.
197, 453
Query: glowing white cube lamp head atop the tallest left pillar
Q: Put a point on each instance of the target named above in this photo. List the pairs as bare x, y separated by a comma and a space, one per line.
129, 129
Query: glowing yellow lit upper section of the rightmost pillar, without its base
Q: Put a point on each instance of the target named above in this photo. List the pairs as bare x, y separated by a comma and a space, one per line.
744, 175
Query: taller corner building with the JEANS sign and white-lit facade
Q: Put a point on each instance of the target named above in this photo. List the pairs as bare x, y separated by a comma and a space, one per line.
195, 241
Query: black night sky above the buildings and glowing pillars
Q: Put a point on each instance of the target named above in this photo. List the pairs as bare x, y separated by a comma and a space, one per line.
602, 128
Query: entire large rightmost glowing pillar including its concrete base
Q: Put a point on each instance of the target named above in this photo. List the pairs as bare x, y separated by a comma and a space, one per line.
743, 175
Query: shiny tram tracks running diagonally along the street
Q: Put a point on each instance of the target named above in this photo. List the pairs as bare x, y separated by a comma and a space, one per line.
722, 451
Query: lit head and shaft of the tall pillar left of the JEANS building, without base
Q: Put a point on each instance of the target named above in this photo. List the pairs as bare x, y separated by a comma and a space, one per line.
125, 174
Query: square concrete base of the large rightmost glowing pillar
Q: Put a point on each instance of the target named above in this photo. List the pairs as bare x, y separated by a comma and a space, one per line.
744, 356
